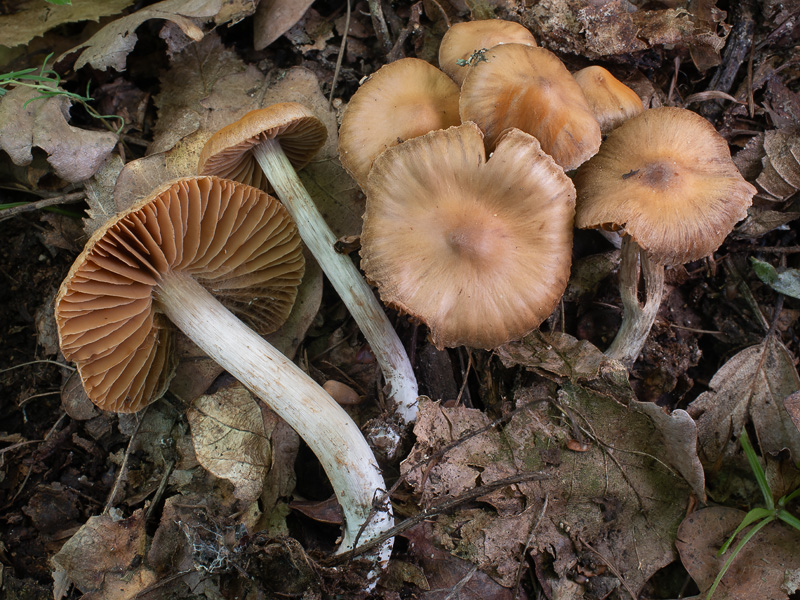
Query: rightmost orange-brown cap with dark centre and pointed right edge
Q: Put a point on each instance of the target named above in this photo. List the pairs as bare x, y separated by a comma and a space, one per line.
667, 178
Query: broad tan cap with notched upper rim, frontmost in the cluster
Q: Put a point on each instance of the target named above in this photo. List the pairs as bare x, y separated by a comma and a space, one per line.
478, 249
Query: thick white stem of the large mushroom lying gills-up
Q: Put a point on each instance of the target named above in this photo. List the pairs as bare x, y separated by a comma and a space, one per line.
305, 406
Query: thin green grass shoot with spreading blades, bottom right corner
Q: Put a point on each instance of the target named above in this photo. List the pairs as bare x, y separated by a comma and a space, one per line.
757, 518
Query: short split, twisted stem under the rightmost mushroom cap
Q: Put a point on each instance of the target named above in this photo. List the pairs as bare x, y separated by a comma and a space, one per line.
638, 318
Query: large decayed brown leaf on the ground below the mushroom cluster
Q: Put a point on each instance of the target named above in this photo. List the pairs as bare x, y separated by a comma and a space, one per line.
619, 496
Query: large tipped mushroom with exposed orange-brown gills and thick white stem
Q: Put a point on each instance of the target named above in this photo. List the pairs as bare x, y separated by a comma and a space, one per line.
166, 258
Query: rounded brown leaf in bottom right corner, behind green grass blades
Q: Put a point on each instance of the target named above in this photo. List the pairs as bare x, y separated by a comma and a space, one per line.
760, 570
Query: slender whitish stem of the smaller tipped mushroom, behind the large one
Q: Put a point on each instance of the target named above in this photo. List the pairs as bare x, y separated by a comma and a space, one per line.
345, 278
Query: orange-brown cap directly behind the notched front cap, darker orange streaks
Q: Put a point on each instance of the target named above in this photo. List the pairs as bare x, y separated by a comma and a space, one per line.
530, 89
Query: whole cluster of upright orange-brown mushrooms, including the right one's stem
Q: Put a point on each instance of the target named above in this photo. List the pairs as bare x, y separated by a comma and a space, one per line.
434, 217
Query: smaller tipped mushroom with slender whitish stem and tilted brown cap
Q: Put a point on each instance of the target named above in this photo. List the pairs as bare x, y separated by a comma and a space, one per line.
268, 141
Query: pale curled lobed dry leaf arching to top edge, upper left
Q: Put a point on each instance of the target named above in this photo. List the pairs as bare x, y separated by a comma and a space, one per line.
110, 46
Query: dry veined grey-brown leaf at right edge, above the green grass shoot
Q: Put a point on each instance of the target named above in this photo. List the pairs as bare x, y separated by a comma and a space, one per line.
750, 387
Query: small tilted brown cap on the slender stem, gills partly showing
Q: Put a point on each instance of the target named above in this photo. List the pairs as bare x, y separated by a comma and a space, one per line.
228, 153
